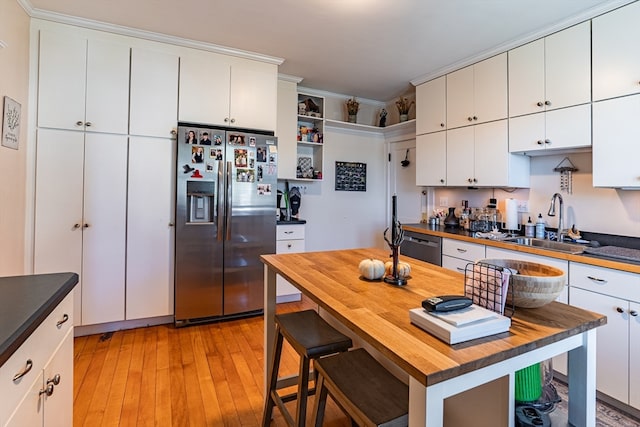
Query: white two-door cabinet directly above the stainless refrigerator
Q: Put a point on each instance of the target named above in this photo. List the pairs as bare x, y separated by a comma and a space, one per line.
227, 91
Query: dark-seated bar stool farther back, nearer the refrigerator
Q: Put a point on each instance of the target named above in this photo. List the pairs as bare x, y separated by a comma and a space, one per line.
311, 337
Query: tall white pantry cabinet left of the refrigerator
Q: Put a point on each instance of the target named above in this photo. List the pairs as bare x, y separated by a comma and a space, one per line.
104, 173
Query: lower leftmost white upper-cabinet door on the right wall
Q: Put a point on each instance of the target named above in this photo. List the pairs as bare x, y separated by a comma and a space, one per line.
431, 158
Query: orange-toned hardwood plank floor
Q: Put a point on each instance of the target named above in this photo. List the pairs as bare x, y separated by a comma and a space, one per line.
206, 375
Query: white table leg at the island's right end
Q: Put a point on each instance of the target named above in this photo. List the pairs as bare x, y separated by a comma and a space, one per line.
582, 382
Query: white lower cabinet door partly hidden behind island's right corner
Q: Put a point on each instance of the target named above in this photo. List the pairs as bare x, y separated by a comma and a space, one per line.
612, 352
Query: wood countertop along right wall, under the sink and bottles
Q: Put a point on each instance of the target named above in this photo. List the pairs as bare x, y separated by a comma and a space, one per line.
459, 234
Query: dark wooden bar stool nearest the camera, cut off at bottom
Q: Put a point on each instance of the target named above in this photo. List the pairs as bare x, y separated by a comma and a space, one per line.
363, 388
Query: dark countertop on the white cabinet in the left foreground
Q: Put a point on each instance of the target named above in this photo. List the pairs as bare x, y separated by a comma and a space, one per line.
25, 301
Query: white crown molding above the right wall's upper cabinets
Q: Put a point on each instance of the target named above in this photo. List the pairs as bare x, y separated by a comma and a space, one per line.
505, 47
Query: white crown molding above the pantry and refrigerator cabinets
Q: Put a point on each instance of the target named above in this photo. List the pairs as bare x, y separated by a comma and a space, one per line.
145, 35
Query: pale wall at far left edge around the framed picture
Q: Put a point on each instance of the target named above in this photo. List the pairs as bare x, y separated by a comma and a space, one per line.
14, 75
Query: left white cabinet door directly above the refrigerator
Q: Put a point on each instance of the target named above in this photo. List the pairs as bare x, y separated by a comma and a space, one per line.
204, 88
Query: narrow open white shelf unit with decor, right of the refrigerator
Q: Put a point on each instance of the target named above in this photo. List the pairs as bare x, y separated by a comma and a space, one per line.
310, 134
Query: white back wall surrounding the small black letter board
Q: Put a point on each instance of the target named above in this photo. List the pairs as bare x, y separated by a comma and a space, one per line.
346, 219
